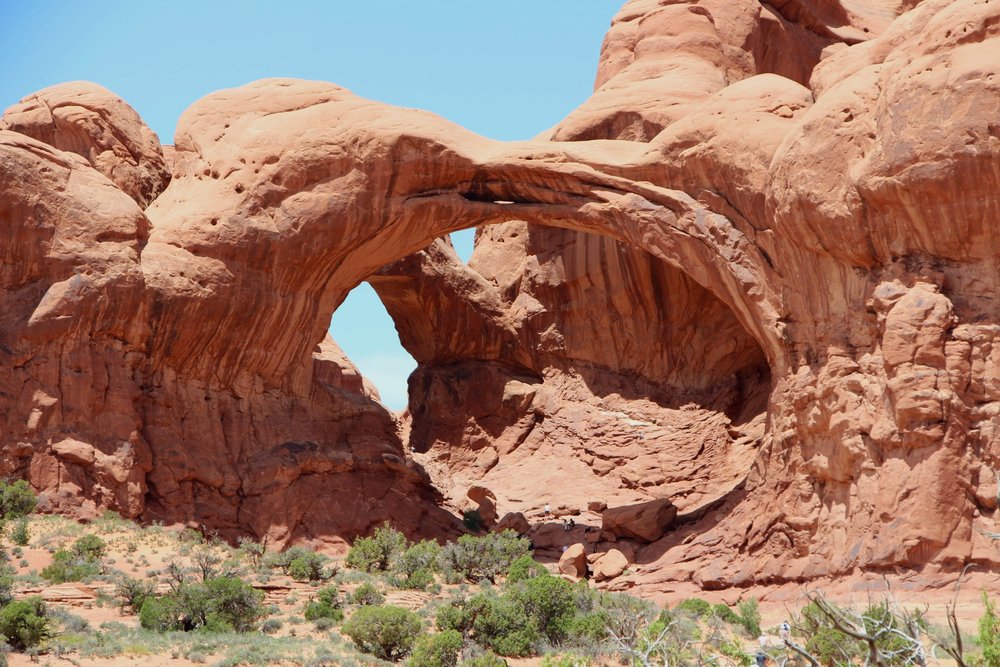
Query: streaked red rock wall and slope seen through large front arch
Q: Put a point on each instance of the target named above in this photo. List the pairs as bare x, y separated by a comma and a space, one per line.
624, 380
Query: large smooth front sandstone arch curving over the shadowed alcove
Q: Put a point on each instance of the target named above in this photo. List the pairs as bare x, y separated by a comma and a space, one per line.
286, 194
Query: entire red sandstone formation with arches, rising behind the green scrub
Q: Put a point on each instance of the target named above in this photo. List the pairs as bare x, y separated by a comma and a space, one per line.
765, 288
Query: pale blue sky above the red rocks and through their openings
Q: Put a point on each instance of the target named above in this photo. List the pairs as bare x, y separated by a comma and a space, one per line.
507, 69
